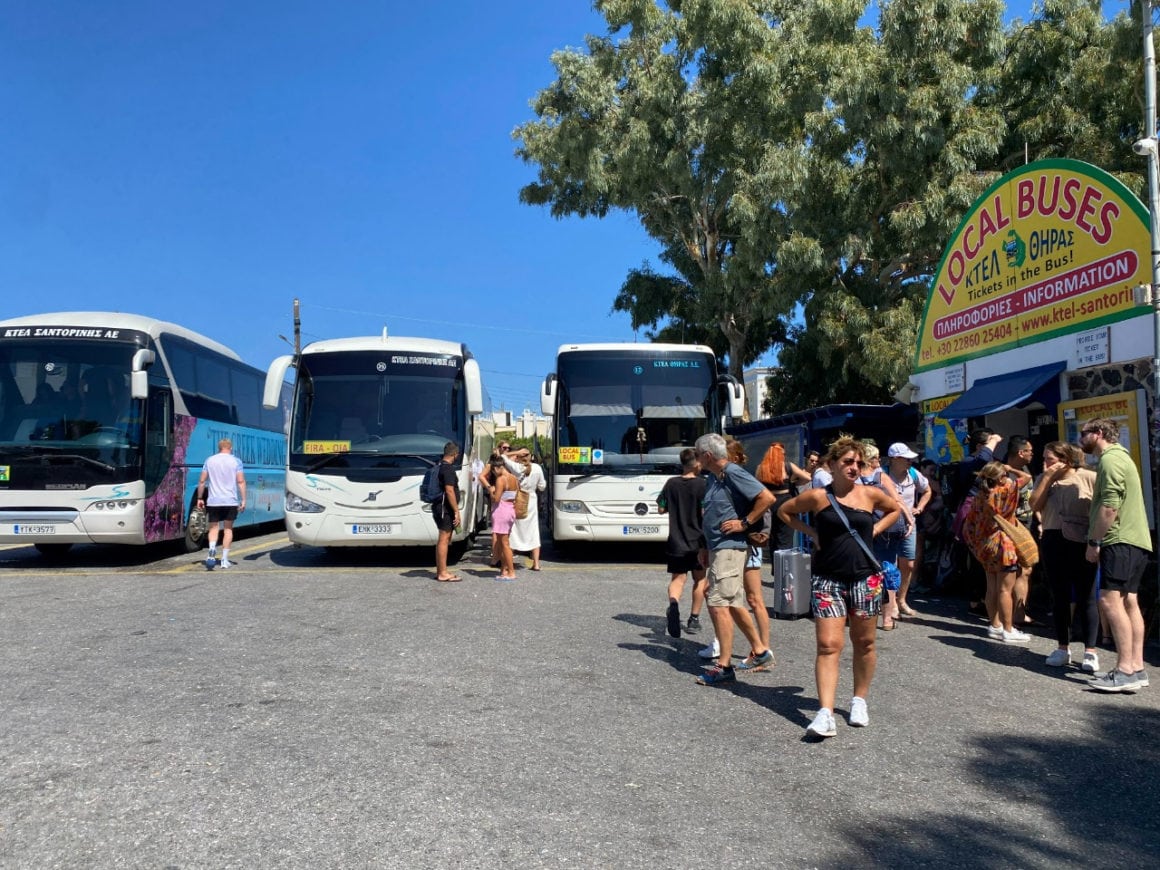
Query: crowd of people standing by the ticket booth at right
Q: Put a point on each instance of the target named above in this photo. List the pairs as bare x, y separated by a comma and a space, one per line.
871, 527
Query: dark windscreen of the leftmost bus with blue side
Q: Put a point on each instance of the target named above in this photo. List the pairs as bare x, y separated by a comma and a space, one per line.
68, 404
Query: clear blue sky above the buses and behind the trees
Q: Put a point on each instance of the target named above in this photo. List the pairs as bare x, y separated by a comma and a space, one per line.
208, 163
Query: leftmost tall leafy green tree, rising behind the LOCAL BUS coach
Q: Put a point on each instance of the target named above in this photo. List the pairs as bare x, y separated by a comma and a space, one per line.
679, 117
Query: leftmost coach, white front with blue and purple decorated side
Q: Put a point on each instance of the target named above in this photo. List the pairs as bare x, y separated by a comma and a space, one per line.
106, 420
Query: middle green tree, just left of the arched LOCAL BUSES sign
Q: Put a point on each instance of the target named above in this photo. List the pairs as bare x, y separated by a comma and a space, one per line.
895, 162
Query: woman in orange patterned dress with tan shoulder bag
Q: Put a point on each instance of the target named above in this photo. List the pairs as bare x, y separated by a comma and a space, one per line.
997, 495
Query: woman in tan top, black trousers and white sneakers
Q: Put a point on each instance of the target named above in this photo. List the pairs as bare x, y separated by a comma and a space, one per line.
1063, 499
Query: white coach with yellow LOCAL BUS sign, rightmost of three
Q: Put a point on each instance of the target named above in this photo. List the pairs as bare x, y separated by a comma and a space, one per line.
621, 416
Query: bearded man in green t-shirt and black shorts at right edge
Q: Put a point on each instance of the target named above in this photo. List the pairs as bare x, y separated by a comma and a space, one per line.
1119, 540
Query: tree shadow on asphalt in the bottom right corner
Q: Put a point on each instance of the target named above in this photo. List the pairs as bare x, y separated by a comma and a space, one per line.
1100, 792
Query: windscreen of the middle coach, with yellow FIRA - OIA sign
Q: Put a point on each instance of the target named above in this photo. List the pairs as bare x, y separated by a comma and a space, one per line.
358, 411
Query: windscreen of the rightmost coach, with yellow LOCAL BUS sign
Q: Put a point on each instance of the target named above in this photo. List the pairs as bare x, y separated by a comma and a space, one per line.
633, 412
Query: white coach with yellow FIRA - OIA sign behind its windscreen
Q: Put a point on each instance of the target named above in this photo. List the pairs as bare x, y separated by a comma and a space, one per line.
371, 416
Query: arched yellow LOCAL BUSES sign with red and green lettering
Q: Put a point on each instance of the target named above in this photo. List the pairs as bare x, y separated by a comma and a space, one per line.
1053, 248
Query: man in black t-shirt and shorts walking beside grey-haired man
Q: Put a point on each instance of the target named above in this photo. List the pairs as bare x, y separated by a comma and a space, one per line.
681, 501
